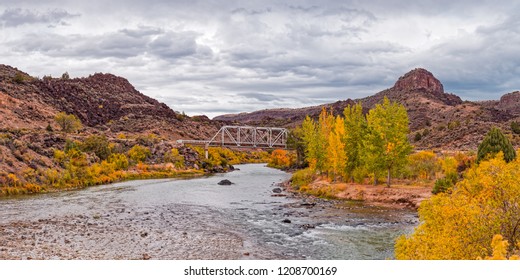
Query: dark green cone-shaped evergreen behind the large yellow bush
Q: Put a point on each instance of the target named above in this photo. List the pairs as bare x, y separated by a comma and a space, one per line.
494, 142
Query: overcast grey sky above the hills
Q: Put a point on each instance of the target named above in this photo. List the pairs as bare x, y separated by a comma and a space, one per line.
222, 56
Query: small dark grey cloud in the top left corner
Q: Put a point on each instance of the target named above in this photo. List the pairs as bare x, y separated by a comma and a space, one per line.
16, 16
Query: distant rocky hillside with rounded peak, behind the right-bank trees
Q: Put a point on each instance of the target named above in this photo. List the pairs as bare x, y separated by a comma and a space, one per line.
438, 120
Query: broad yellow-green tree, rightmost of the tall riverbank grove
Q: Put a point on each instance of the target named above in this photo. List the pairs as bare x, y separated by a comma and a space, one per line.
386, 144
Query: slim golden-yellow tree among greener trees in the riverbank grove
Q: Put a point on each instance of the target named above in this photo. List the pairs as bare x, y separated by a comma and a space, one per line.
336, 156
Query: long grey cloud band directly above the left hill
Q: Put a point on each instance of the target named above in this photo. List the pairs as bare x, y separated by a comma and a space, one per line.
123, 43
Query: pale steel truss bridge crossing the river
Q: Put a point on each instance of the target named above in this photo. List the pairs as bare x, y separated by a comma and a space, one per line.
244, 137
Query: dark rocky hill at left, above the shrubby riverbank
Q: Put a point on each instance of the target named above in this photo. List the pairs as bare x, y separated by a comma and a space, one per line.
103, 102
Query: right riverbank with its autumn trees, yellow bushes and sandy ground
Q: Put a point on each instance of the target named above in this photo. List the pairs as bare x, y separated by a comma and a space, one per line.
468, 202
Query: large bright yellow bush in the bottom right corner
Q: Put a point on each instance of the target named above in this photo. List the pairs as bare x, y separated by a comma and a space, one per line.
462, 225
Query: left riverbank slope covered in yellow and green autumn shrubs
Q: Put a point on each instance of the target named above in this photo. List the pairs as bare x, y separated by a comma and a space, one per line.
67, 160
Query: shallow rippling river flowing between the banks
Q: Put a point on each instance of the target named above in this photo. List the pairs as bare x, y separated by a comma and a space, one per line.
196, 219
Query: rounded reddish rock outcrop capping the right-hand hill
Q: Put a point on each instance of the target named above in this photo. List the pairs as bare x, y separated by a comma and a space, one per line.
419, 79
